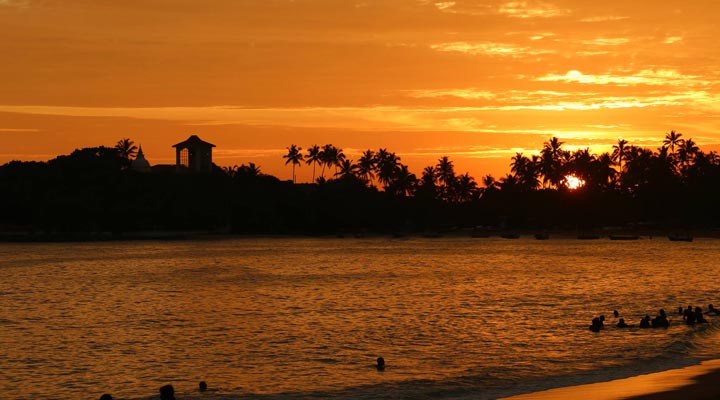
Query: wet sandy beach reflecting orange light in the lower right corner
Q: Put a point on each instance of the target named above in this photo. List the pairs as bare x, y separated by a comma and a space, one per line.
697, 382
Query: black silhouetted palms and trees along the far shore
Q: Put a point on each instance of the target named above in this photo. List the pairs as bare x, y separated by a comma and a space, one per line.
676, 186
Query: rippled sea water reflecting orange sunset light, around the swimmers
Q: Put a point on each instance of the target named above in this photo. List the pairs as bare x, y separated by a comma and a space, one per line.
478, 318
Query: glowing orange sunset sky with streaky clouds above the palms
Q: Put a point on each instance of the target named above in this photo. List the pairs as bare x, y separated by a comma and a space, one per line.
474, 80
